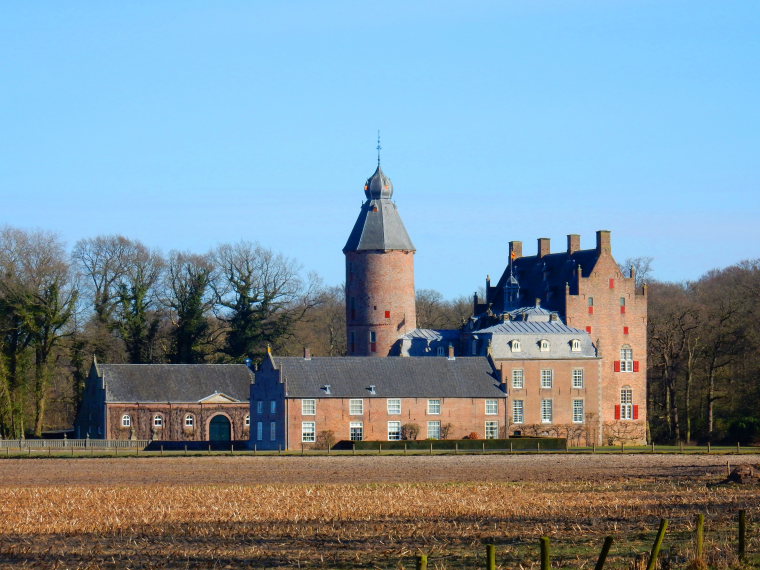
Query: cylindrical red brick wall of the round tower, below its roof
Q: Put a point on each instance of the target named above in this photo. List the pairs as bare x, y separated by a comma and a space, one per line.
380, 298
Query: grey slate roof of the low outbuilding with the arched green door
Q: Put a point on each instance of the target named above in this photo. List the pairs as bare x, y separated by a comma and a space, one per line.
174, 382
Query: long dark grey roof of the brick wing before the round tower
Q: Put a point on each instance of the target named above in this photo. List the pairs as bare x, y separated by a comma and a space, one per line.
393, 377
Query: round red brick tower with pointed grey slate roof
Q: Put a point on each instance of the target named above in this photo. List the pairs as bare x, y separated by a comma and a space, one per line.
379, 274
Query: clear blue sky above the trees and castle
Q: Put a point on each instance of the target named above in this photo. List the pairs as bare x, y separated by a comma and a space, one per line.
187, 124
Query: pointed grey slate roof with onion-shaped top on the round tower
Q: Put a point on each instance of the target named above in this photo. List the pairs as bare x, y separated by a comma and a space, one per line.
379, 226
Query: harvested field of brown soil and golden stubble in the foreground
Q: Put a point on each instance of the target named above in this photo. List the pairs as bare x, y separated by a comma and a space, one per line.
363, 511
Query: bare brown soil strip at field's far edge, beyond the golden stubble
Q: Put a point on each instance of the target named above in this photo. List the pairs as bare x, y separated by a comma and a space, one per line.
249, 470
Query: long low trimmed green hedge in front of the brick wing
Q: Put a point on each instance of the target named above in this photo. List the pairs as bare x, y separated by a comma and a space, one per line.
517, 444
